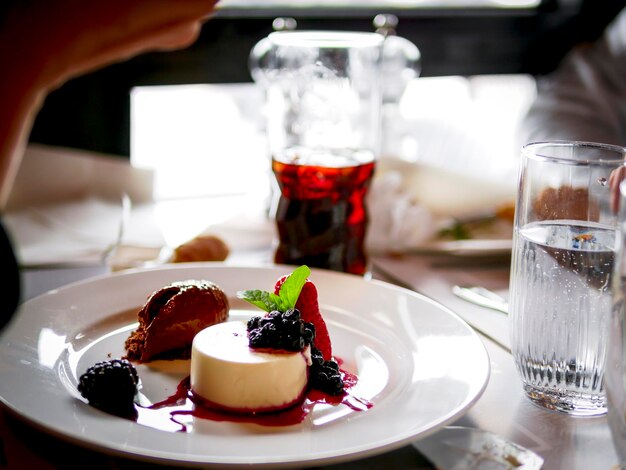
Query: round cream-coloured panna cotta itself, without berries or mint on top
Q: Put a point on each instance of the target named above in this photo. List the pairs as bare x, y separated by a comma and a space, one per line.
228, 373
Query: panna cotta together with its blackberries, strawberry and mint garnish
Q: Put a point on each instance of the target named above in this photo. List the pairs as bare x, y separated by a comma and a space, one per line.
269, 362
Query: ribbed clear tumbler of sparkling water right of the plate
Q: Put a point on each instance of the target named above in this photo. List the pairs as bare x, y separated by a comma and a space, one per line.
562, 263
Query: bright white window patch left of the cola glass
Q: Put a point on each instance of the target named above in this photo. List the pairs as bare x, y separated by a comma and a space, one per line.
199, 141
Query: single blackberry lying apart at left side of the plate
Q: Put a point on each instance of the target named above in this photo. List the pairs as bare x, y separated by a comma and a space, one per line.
110, 386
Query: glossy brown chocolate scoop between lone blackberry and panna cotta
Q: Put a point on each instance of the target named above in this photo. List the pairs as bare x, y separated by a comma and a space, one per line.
172, 316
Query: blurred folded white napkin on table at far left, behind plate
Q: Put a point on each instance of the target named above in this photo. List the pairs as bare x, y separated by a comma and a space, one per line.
61, 210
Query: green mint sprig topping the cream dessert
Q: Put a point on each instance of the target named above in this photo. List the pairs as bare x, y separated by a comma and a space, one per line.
287, 295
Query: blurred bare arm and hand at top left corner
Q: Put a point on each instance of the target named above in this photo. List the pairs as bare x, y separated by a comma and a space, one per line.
44, 44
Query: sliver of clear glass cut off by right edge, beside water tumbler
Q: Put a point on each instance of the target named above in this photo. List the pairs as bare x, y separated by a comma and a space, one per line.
615, 374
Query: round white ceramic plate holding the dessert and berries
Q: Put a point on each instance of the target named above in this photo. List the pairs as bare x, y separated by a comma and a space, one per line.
420, 365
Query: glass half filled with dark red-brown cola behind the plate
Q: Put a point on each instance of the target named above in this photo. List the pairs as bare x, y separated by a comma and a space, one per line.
323, 94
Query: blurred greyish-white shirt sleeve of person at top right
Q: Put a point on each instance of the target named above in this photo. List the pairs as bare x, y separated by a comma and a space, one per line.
584, 99
